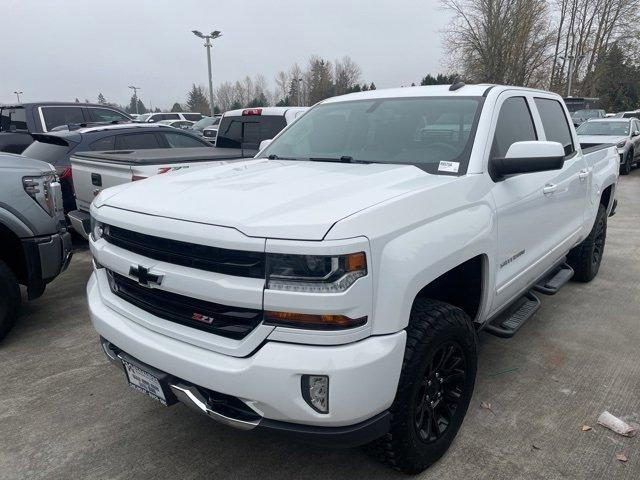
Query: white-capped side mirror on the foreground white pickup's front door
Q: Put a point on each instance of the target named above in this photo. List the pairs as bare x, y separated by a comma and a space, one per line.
527, 157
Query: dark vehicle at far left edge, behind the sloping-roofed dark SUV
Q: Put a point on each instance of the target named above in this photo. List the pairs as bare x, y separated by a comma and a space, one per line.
18, 122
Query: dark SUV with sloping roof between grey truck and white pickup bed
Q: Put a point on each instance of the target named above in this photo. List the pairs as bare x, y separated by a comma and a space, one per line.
56, 147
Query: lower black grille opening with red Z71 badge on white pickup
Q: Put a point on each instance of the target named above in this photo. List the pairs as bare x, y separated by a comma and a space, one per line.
223, 320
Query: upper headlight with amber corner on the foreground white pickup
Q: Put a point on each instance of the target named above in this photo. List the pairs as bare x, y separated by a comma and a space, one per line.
314, 273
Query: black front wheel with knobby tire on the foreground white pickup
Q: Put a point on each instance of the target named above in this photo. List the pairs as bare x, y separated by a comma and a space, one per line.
436, 383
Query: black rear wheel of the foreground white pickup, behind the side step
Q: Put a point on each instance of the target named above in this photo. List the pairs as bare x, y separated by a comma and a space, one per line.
585, 258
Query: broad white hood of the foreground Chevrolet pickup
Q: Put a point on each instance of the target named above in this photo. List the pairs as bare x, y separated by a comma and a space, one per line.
270, 198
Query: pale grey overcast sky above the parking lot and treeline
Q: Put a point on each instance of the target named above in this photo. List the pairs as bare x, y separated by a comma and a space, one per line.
63, 49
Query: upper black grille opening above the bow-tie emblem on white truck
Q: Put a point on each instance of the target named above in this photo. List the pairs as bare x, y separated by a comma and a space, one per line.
212, 259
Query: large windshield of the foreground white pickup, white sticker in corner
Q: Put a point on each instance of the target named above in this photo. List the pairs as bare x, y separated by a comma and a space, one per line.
421, 131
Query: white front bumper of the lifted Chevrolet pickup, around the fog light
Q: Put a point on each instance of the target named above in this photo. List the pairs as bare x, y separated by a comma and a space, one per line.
363, 375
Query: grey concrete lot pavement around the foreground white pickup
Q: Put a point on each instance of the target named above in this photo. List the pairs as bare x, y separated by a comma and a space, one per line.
66, 413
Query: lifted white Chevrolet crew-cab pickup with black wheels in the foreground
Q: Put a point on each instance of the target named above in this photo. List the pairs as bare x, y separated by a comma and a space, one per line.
333, 286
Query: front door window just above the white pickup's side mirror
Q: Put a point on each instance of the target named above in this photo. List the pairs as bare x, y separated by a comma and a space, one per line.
514, 125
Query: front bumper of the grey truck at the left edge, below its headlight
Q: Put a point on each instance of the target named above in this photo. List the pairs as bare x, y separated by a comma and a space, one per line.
47, 257
